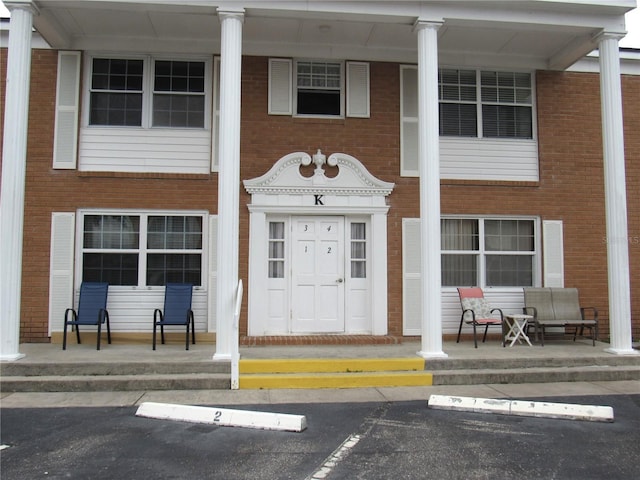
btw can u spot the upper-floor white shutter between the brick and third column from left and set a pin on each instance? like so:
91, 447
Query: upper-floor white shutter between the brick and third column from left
409, 121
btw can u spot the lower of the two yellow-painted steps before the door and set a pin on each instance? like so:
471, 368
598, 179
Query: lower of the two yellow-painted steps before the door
344, 380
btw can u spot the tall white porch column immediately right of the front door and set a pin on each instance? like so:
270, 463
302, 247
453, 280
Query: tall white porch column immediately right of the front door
429, 160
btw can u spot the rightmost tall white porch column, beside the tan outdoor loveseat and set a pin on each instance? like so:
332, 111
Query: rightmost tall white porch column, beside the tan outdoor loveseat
615, 196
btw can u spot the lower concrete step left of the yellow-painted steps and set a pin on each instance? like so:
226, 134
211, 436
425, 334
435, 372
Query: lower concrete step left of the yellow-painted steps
98, 383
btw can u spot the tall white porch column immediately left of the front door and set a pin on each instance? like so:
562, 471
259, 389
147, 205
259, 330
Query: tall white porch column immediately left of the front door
228, 178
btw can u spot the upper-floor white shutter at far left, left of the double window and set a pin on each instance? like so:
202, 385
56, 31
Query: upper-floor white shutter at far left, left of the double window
65, 137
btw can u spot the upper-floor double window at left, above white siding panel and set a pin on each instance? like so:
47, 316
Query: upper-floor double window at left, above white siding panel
147, 92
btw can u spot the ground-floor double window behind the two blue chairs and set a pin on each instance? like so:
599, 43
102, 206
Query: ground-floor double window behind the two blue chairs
142, 249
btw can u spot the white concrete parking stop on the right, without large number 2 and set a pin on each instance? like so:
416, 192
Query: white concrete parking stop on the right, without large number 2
593, 413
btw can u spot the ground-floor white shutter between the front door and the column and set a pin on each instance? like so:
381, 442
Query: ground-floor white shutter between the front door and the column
411, 277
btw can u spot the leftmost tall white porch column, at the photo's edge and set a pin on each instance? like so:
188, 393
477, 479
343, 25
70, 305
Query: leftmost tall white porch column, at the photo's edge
14, 164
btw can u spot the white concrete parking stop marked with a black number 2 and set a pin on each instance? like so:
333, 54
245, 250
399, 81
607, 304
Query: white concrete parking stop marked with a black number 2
222, 416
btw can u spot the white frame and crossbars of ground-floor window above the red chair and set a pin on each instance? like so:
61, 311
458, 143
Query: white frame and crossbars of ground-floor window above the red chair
482, 253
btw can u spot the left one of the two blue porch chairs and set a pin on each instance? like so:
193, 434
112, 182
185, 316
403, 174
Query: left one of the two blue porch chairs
92, 310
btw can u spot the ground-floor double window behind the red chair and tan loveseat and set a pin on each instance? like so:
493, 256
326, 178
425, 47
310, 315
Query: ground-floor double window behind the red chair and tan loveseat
488, 252
